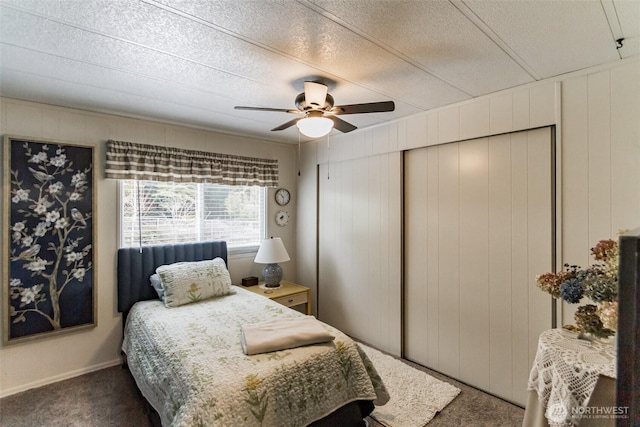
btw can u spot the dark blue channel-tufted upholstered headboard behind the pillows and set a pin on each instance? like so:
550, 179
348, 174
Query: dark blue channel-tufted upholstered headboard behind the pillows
134, 268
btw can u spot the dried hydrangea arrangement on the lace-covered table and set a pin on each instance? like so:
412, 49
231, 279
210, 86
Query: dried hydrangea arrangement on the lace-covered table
598, 282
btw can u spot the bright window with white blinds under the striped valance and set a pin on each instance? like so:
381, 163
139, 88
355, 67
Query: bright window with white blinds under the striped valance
156, 212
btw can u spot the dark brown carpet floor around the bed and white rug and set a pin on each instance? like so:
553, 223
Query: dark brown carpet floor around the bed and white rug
109, 398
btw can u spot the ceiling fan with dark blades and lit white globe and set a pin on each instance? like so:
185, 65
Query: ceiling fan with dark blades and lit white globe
319, 113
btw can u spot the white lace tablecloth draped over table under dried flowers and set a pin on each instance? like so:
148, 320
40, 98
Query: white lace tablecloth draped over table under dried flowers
565, 372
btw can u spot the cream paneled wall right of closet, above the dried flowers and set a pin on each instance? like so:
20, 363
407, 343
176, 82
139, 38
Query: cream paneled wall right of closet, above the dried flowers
600, 161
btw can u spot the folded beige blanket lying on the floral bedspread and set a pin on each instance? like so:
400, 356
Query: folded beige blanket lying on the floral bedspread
281, 334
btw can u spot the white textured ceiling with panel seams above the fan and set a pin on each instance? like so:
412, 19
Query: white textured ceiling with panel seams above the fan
191, 62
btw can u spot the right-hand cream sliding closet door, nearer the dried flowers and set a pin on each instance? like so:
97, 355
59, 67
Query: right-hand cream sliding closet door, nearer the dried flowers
478, 223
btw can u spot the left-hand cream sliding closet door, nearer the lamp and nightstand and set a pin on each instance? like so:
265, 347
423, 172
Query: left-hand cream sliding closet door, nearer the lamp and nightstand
359, 285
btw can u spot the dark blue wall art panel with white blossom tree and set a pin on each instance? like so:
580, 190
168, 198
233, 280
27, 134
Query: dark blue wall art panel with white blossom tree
49, 220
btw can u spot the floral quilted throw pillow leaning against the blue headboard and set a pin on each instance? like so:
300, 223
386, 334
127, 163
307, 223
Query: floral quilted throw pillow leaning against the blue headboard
187, 282
